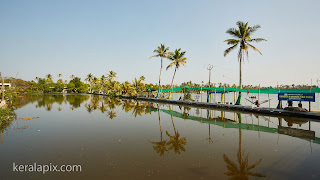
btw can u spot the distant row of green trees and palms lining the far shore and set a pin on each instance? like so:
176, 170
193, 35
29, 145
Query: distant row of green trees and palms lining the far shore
108, 84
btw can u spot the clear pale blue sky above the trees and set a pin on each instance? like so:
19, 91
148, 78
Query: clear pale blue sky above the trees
78, 37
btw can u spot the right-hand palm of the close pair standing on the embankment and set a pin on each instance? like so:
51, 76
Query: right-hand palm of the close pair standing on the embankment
178, 60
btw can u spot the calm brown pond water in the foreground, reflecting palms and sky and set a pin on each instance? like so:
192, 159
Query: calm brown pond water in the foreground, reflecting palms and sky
126, 139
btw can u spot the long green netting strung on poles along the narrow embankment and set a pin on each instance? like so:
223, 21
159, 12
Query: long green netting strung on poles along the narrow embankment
262, 91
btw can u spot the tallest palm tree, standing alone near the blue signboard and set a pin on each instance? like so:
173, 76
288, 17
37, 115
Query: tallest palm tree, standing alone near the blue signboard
243, 39
